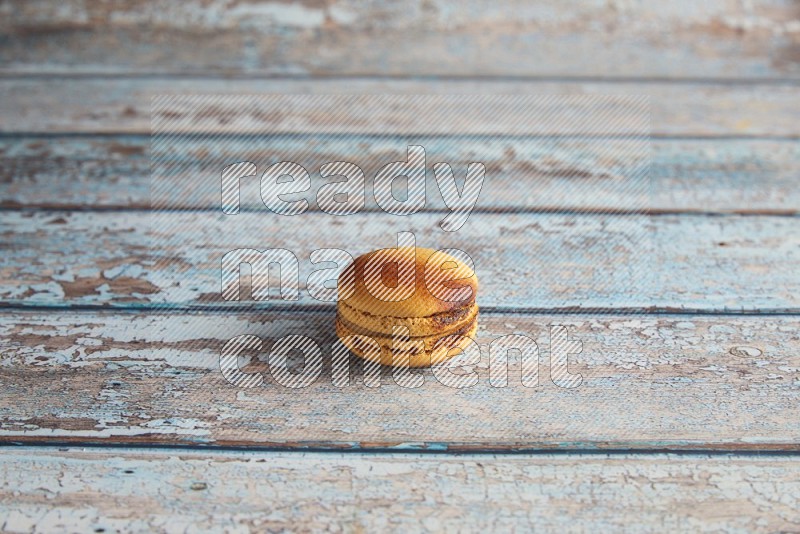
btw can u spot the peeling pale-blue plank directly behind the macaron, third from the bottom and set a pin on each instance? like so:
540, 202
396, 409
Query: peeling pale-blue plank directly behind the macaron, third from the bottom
708, 263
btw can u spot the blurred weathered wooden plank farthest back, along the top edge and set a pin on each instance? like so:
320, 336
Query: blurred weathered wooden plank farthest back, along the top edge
712, 39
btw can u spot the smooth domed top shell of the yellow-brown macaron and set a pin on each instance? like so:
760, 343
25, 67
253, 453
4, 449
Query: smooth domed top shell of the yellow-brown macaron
441, 283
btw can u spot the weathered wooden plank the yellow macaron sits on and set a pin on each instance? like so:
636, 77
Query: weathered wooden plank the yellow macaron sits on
666, 382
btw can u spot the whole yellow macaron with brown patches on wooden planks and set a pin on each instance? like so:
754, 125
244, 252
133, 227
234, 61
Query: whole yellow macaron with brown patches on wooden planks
417, 304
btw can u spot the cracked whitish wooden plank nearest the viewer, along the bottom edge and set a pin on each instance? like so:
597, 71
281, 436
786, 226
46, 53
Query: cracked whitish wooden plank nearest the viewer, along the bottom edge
140, 490
